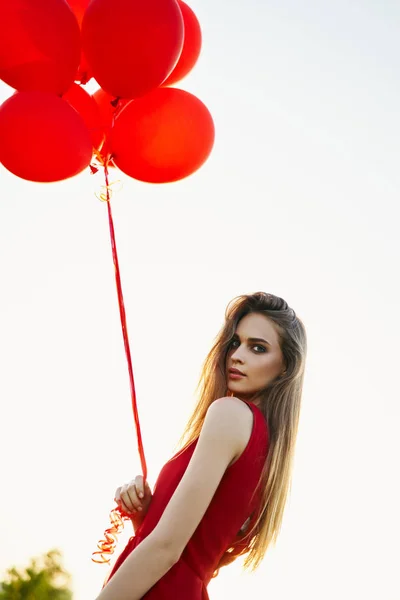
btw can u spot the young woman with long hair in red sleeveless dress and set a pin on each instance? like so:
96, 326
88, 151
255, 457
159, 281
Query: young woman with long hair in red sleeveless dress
223, 494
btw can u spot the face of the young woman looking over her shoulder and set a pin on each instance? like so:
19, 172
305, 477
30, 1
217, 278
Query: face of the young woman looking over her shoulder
260, 360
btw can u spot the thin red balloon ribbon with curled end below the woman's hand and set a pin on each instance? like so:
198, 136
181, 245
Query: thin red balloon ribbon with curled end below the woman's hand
106, 547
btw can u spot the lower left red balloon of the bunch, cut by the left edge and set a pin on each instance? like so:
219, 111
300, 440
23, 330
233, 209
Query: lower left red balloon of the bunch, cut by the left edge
42, 138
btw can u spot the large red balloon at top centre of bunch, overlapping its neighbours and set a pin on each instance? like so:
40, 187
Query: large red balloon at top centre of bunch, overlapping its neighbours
132, 46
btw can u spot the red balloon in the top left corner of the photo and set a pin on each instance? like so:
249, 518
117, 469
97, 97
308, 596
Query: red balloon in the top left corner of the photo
39, 45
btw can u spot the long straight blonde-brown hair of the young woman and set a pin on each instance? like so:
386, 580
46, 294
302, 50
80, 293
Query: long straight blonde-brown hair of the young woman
280, 404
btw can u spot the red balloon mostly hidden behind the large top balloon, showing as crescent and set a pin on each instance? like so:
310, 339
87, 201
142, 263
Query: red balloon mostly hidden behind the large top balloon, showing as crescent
191, 45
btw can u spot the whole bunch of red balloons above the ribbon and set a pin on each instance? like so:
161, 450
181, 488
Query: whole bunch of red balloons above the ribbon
51, 127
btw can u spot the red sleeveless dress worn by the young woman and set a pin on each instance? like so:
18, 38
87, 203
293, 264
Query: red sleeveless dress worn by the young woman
225, 515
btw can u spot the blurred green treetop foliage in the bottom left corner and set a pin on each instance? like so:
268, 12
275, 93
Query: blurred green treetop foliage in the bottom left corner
43, 579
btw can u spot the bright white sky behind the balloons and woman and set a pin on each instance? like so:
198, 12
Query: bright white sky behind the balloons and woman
300, 199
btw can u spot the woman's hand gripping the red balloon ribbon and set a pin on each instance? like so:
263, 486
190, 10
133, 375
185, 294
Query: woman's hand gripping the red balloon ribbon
134, 499
